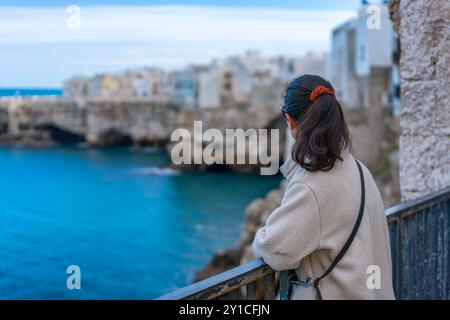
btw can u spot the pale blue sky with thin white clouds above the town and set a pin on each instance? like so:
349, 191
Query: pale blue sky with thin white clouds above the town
39, 50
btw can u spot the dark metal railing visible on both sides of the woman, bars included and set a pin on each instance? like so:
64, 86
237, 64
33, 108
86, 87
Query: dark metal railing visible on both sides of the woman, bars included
420, 245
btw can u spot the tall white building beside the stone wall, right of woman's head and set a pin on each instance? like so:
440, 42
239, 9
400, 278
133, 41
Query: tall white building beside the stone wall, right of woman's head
361, 58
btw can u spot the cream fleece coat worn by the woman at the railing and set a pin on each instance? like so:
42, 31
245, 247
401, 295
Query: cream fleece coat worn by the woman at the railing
316, 216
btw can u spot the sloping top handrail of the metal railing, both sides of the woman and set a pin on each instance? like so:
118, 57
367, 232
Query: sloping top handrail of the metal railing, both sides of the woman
229, 280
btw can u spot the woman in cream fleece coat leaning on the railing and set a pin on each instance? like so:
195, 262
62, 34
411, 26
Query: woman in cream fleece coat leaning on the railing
331, 226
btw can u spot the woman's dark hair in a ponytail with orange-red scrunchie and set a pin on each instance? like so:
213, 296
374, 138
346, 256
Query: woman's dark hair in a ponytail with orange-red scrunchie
322, 133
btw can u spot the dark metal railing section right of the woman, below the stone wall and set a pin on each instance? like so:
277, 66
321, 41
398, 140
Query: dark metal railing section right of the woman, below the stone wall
420, 246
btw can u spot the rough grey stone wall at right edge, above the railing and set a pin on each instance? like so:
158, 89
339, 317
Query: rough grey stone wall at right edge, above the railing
424, 30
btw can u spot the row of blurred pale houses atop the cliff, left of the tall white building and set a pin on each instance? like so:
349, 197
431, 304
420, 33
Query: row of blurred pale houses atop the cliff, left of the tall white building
230, 81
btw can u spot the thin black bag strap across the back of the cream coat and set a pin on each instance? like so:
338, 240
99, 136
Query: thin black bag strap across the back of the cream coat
350, 238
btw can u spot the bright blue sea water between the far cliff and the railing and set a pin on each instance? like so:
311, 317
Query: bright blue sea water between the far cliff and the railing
135, 231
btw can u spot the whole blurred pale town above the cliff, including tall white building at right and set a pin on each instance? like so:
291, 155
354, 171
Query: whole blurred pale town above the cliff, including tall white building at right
362, 65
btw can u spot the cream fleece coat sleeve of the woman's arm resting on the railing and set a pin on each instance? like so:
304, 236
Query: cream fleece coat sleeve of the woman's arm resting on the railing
292, 231
